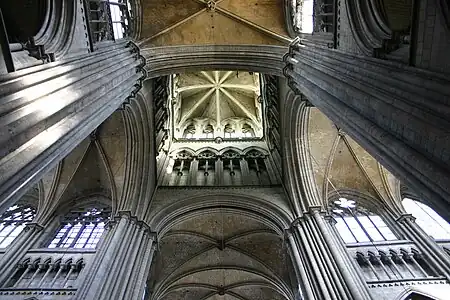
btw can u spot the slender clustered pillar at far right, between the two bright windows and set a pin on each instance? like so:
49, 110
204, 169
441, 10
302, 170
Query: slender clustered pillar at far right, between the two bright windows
436, 256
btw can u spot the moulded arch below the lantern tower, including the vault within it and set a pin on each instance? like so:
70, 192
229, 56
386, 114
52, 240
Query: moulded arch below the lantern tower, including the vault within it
221, 236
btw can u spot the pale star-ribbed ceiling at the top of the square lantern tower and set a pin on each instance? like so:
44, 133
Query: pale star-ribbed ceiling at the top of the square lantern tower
218, 99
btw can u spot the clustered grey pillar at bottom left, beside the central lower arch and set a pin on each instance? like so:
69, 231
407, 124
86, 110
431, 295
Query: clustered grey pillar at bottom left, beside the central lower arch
122, 262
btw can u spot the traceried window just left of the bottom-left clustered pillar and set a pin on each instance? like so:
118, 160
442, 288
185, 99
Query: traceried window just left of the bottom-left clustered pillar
81, 228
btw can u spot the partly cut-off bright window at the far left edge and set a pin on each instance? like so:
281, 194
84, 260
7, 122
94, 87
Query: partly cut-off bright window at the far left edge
13, 221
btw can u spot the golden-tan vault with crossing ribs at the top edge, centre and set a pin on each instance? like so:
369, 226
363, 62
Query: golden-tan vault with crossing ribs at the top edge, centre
188, 22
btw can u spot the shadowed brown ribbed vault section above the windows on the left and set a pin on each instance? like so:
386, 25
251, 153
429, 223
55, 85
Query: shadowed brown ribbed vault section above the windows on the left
95, 168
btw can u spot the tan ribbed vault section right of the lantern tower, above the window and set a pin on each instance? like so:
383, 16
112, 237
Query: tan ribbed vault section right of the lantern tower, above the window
339, 163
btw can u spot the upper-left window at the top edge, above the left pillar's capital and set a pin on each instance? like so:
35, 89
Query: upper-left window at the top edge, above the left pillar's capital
109, 19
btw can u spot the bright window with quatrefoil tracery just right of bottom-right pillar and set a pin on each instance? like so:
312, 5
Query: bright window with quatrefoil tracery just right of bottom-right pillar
356, 224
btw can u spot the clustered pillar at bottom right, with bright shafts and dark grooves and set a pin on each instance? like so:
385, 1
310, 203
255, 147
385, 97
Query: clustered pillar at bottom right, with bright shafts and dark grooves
328, 265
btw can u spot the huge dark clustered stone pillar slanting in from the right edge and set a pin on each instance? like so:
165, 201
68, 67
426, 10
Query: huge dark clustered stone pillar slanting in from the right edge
399, 114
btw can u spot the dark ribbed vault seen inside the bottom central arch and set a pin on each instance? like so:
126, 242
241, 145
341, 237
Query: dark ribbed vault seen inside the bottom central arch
220, 255
